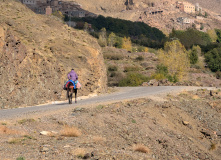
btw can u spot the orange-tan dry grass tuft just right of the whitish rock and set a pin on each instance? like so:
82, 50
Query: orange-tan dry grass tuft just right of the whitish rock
69, 131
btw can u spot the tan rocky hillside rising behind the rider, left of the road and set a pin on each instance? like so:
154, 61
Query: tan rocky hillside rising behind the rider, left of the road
37, 52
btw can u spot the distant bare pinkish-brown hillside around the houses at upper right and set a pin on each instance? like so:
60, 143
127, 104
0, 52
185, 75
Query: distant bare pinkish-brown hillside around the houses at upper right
160, 14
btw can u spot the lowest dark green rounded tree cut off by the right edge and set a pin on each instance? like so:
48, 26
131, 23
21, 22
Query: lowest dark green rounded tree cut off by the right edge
213, 59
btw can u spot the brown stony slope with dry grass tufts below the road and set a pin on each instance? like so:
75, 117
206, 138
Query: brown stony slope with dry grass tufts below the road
182, 126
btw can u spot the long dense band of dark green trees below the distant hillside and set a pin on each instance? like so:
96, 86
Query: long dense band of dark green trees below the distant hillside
151, 37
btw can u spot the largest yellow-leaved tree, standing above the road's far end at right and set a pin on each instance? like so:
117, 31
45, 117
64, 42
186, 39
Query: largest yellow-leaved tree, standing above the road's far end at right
175, 58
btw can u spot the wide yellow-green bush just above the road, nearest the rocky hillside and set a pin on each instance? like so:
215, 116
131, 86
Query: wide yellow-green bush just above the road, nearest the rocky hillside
133, 79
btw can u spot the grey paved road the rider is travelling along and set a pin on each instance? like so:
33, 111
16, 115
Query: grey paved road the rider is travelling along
122, 94
